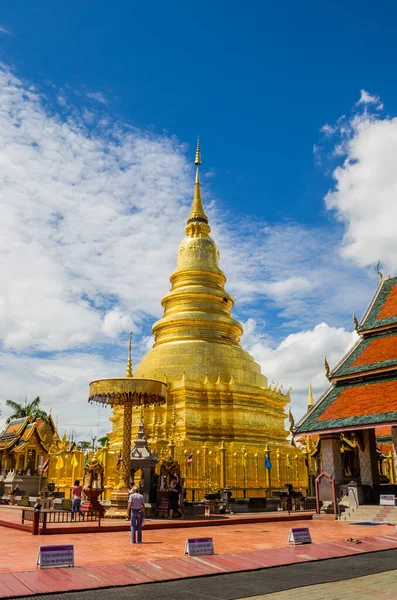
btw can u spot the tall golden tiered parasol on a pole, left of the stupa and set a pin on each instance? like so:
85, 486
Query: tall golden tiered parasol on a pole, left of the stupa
128, 392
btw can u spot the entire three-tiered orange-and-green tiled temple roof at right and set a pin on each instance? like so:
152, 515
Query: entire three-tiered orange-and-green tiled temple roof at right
364, 382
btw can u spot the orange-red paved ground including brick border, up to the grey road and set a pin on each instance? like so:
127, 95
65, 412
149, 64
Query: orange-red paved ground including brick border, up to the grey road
107, 559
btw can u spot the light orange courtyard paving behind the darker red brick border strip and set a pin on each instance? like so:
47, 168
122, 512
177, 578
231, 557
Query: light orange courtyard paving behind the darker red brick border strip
115, 548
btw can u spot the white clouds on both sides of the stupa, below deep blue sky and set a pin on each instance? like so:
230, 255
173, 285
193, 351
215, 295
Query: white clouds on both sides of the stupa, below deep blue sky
91, 215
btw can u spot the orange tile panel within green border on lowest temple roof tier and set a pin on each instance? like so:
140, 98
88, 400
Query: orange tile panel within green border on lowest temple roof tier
355, 401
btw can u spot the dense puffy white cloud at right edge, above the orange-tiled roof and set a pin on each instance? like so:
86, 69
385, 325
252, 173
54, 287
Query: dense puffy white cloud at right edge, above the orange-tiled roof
365, 192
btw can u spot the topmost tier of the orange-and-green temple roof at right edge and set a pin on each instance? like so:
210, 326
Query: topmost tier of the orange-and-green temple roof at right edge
382, 311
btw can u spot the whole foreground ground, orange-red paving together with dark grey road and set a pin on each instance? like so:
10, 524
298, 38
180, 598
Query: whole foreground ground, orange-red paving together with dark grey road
247, 551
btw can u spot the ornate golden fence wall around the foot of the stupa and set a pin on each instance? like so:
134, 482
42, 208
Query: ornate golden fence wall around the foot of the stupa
244, 470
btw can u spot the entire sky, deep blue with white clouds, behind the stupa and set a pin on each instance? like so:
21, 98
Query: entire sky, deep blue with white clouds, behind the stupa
123, 89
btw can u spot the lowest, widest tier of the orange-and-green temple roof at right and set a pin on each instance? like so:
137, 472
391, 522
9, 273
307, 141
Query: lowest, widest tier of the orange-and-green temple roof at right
353, 405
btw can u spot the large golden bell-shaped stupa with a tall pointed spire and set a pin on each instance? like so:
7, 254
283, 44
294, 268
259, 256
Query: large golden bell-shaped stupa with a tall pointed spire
216, 392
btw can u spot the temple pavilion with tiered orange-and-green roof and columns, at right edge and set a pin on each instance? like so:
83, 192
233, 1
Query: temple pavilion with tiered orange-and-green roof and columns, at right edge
361, 402
